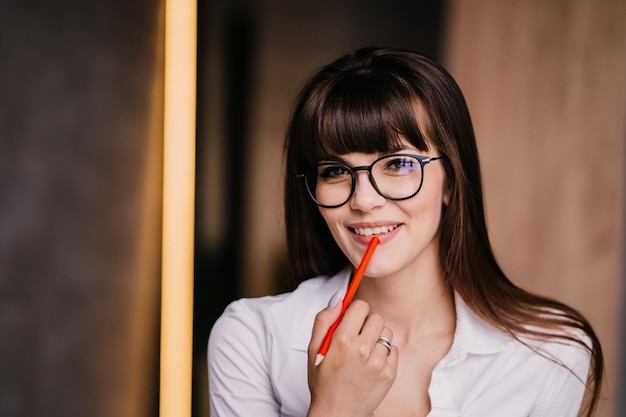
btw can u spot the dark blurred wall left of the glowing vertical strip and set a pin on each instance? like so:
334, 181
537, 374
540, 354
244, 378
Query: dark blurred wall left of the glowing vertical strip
80, 188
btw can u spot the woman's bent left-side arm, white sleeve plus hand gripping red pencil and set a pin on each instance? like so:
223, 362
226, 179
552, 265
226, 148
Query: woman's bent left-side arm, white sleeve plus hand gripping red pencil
351, 381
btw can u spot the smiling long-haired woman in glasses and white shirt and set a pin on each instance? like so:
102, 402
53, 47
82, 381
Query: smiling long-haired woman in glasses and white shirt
381, 144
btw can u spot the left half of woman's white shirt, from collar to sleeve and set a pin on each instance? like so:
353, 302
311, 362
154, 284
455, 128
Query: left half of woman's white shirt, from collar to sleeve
257, 350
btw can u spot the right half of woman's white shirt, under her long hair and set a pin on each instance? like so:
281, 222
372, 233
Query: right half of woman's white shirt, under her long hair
515, 374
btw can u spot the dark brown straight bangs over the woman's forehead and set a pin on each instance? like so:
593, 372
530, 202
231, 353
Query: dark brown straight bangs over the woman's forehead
368, 113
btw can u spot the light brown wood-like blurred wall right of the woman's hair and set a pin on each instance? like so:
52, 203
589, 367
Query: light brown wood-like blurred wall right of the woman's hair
546, 85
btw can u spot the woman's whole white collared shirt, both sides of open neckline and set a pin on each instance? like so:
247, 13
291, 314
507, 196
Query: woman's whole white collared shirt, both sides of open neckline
257, 360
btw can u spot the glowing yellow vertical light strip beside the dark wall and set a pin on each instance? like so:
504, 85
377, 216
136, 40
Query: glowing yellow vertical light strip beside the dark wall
178, 207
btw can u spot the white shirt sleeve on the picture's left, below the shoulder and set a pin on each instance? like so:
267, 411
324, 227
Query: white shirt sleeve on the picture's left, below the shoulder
239, 381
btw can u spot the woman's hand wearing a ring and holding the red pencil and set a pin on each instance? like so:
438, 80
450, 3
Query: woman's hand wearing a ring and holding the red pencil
357, 371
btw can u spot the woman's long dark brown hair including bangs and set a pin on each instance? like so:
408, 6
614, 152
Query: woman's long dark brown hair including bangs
364, 102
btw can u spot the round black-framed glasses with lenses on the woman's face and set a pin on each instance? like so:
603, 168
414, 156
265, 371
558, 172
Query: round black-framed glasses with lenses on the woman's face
395, 177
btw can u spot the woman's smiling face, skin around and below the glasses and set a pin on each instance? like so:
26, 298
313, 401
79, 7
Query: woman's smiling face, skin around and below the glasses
407, 229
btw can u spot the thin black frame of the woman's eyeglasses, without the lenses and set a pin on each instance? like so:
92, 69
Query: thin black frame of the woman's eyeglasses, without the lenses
423, 160
